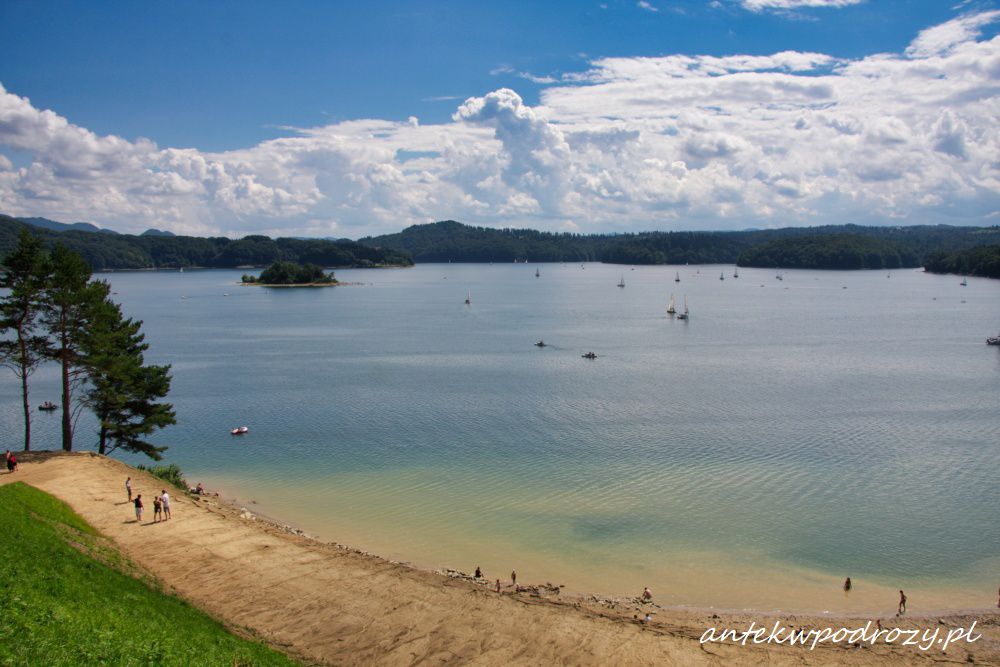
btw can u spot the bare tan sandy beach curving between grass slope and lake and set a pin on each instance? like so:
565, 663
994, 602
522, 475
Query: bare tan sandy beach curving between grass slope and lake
329, 604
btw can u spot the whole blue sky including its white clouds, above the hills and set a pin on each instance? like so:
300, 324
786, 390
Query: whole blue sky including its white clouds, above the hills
347, 119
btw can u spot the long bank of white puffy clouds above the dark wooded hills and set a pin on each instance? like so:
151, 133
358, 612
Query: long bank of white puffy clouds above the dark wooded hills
675, 142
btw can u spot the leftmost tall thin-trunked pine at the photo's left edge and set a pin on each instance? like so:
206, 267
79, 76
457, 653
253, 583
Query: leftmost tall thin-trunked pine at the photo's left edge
25, 274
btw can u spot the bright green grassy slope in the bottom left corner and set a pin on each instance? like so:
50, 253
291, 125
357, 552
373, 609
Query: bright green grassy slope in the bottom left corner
67, 598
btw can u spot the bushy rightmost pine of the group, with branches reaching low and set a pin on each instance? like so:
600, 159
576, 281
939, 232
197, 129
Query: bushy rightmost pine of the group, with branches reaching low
122, 388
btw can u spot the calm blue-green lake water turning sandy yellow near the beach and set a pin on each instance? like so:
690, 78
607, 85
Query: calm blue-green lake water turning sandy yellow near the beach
790, 434
